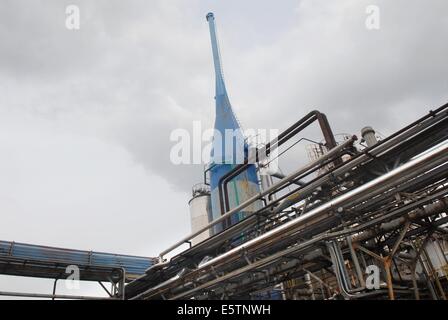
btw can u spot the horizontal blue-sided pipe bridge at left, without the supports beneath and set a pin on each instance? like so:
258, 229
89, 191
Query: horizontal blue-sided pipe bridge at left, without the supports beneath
42, 261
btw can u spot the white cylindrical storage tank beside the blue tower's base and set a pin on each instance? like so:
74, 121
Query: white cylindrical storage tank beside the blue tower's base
200, 211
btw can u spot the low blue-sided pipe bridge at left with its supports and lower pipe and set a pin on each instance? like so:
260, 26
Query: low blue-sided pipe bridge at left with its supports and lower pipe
26, 260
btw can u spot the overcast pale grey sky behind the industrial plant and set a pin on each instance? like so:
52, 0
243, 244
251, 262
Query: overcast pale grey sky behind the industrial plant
85, 115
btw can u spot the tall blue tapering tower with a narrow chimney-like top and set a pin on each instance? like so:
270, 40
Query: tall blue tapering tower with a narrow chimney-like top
229, 146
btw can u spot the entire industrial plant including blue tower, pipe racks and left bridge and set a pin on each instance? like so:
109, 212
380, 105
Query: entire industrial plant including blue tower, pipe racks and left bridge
365, 218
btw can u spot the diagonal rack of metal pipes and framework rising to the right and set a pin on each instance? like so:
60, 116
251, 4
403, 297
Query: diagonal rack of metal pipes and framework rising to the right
322, 227
